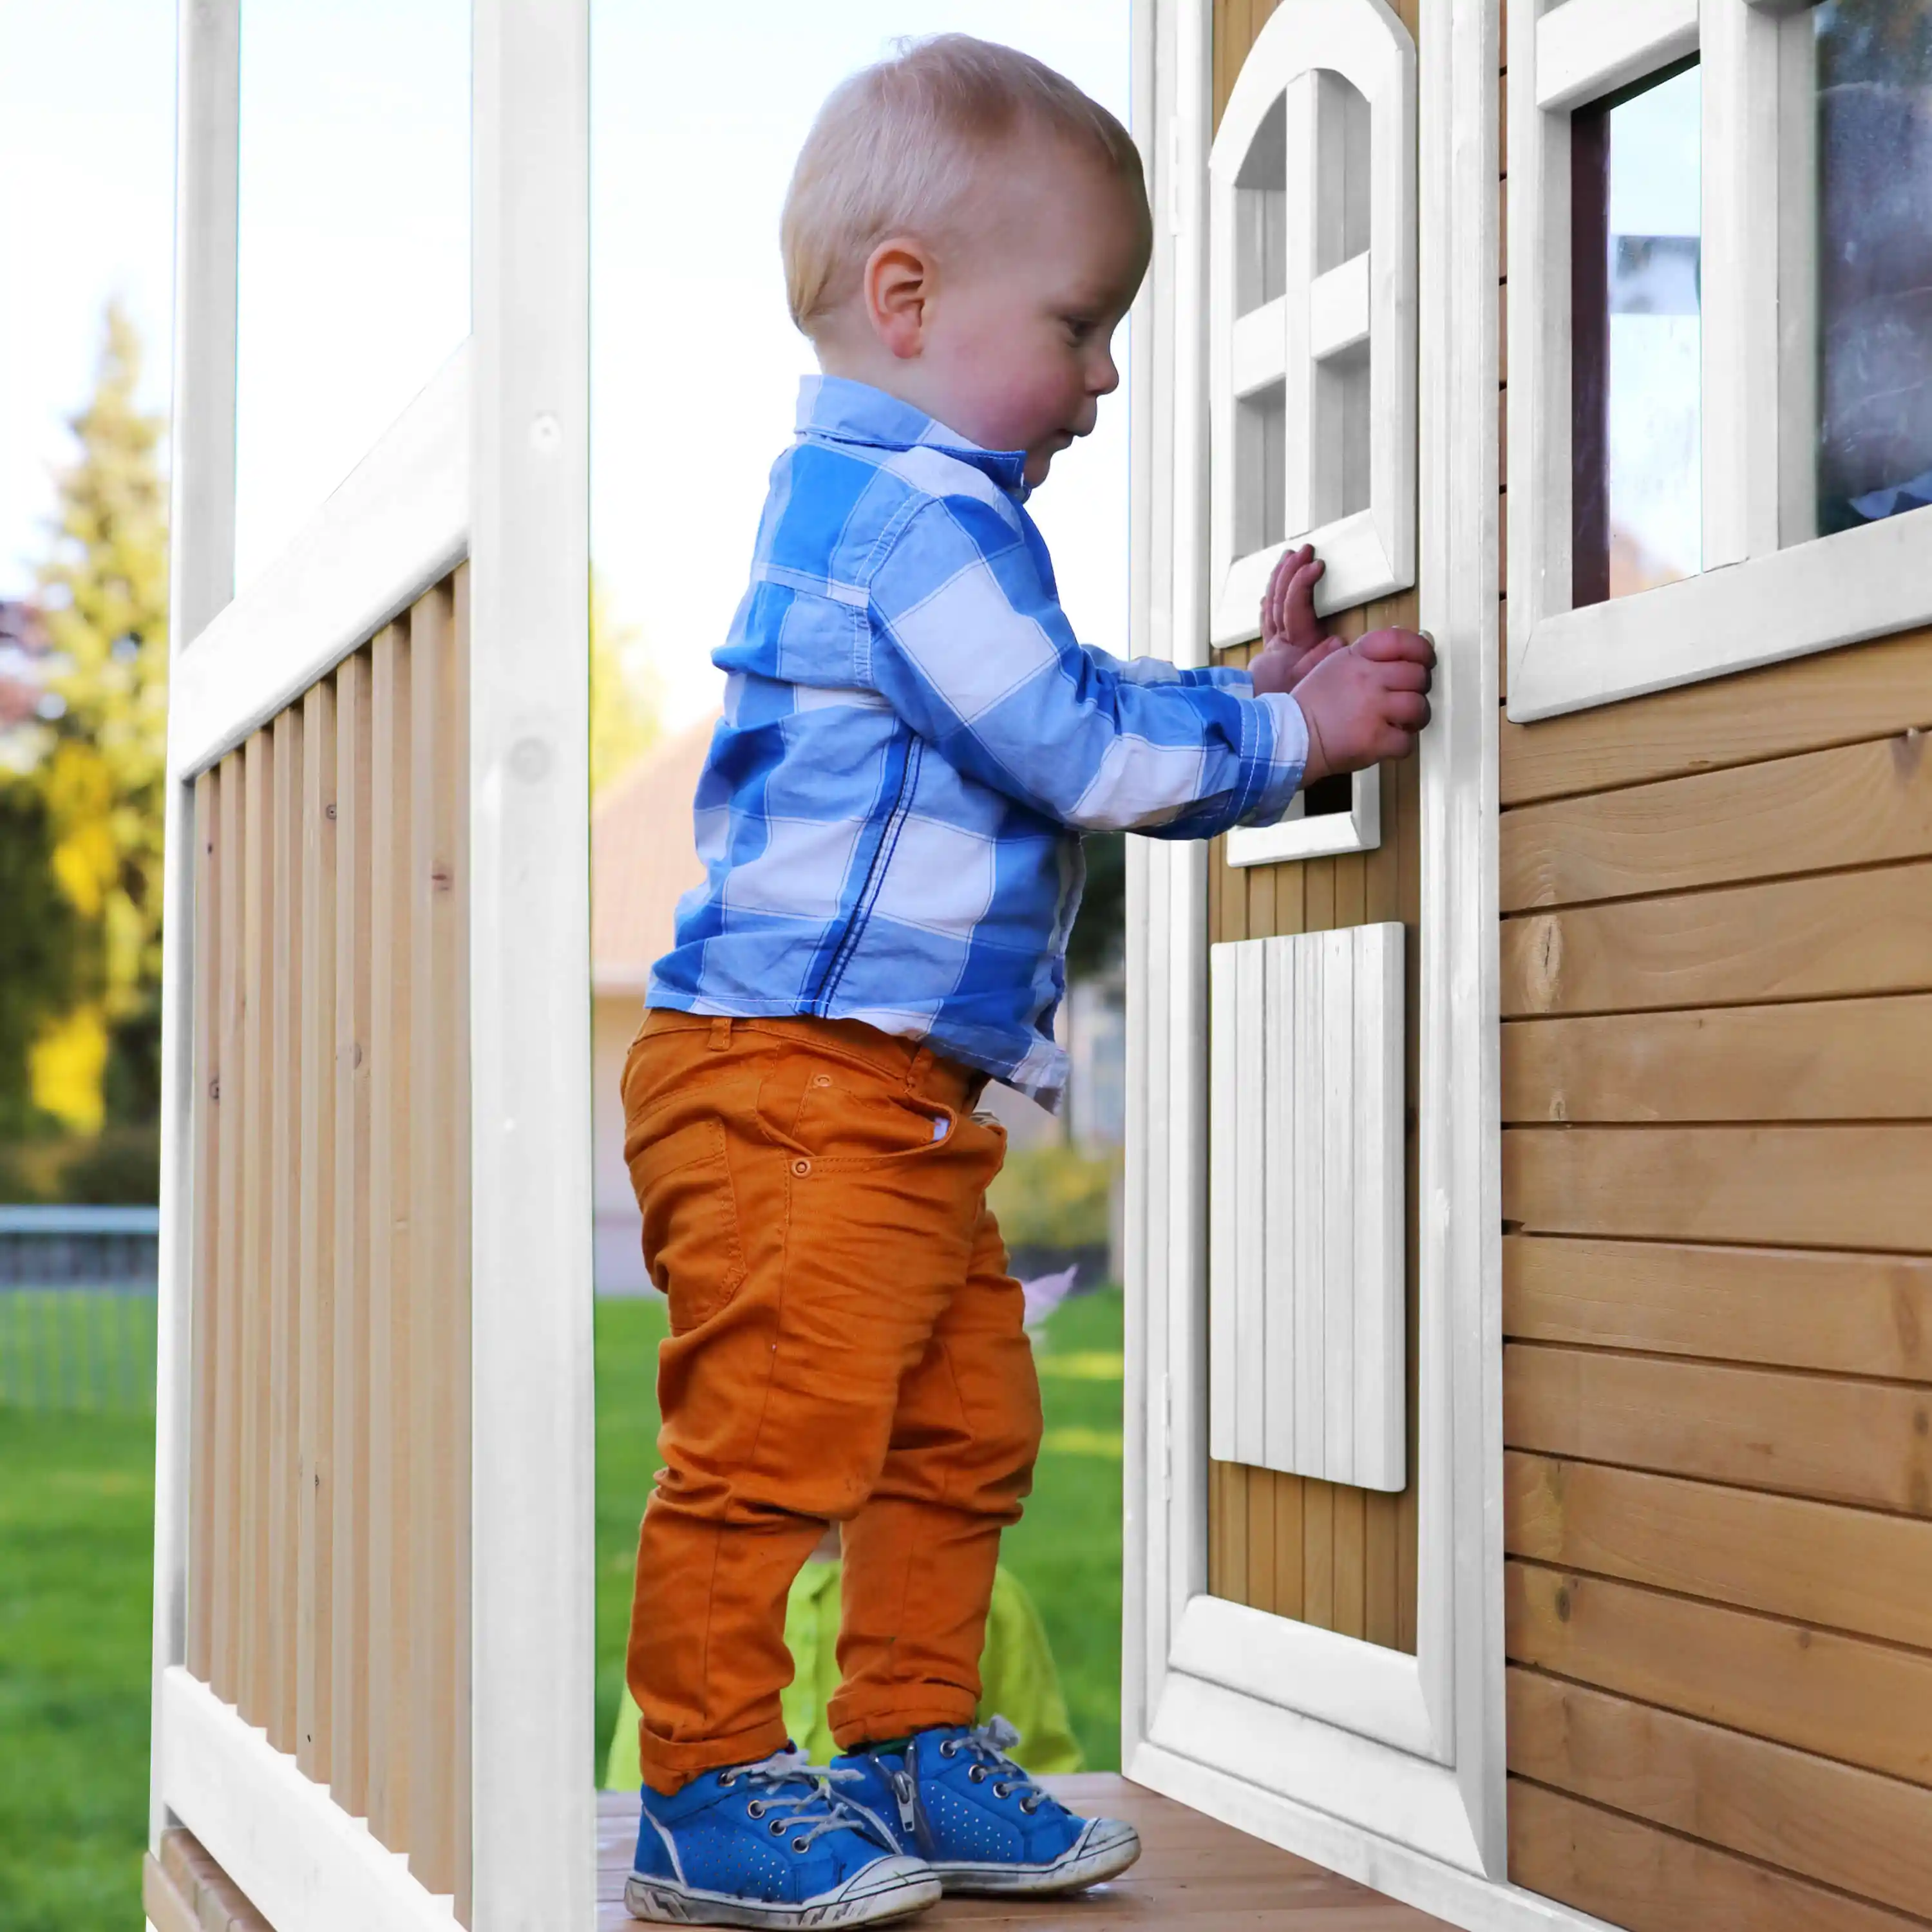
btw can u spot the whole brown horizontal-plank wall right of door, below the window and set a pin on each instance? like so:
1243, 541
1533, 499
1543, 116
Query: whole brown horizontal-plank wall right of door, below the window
1717, 986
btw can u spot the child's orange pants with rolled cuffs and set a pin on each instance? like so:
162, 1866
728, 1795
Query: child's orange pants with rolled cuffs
845, 1348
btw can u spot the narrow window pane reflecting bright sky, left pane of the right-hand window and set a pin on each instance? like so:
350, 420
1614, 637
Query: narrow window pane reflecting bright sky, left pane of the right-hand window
1637, 339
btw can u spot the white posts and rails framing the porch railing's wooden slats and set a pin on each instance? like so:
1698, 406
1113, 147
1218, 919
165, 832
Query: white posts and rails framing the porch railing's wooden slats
492, 463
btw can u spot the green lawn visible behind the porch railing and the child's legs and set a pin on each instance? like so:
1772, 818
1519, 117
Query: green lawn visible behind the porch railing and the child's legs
76, 1552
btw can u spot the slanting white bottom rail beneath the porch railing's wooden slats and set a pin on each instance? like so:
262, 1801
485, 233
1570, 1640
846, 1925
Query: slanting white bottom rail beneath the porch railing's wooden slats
298, 1858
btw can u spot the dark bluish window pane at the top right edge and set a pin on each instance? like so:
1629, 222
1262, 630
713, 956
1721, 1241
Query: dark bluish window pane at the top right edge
1875, 260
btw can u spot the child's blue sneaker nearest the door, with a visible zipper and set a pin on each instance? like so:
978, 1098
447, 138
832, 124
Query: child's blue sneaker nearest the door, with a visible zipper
979, 1821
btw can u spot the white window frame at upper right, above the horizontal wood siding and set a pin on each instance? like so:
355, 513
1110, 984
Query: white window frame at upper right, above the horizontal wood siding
1771, 588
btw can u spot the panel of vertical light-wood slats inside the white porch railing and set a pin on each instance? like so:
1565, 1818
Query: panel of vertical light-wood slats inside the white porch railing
329, 1494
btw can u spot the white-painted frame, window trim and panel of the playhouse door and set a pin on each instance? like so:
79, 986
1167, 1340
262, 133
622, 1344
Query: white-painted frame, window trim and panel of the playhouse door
1377, 1763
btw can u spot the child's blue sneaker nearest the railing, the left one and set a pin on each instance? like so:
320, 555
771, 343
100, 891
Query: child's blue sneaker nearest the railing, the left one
770, 1844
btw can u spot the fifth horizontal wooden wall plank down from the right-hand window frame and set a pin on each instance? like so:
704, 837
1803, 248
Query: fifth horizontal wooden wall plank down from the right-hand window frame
1825, 1187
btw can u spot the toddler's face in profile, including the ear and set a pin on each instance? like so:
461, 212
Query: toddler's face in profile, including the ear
1008, 335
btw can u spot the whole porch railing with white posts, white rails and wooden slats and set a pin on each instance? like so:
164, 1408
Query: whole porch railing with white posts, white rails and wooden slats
374, 1481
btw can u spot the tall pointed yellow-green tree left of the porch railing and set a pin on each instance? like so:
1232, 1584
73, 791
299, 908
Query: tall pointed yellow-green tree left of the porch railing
105, 590
